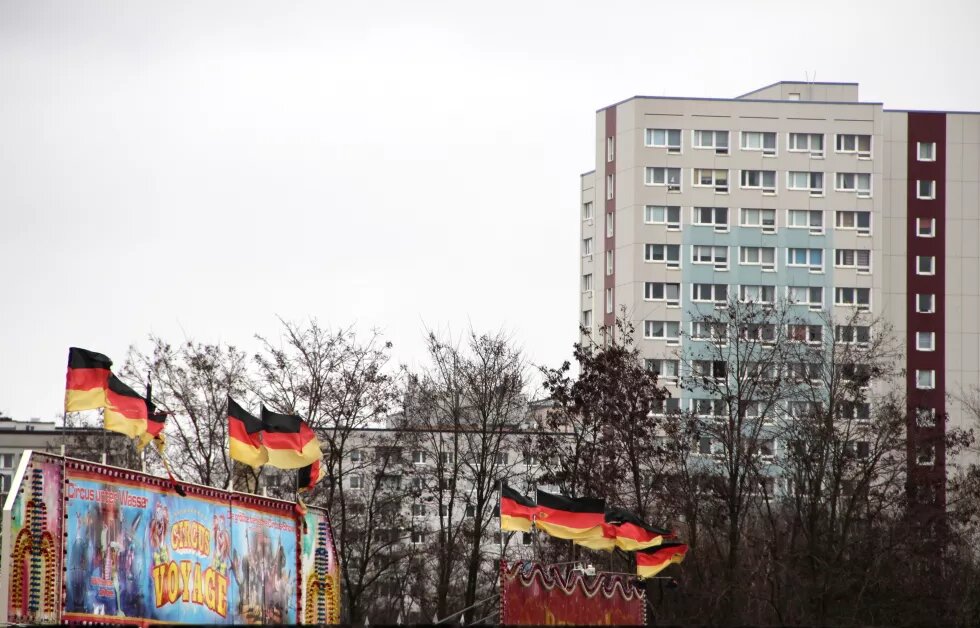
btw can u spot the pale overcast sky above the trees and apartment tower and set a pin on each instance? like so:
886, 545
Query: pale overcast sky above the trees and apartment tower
195, 169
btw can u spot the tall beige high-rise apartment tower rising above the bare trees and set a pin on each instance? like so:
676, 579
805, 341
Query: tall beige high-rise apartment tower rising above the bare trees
795, 191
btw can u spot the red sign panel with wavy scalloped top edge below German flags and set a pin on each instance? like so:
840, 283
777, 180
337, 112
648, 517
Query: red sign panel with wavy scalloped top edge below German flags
532, 594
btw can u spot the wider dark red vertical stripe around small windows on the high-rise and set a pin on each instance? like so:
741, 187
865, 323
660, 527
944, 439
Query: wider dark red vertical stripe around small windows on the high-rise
927, 480
